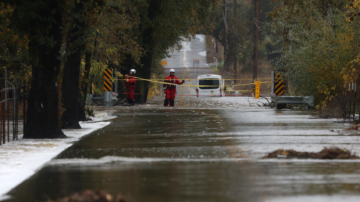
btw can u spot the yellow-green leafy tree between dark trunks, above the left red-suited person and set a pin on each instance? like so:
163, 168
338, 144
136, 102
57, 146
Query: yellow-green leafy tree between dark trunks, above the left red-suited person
113, 39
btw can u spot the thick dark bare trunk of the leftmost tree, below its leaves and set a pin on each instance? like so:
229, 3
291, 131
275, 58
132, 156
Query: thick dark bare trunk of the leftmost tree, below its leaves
42, 113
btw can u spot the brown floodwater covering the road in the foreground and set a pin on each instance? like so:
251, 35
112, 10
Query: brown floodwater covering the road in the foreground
191, 154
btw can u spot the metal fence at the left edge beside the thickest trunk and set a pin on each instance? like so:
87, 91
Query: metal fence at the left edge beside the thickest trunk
13, 106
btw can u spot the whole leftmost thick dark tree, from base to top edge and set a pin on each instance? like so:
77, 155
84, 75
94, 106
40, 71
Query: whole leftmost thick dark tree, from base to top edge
42, 22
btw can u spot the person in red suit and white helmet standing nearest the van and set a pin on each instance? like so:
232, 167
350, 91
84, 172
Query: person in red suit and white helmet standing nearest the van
170, 90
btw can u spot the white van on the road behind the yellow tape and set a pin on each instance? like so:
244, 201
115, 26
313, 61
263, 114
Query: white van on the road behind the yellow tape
210, 85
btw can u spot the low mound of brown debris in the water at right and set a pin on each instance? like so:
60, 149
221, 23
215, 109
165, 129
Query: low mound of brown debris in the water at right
326, 153
